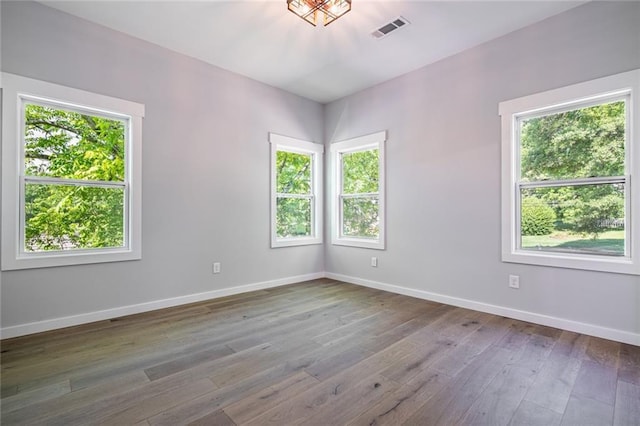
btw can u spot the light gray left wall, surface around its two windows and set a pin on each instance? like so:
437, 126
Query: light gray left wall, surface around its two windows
205, 168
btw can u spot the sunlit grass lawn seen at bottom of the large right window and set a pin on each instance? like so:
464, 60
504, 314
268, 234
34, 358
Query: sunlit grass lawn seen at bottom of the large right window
608, 243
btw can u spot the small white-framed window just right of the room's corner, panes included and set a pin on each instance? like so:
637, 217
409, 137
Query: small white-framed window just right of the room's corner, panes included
358, 199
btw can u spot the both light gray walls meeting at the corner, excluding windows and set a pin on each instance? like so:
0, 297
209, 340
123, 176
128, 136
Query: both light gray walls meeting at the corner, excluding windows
206, 170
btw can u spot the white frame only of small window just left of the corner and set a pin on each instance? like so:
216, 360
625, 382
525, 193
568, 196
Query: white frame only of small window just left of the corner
316, 151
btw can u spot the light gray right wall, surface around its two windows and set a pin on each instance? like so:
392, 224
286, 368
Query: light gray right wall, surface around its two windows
443, 168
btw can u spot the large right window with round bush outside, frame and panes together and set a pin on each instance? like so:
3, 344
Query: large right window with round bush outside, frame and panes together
567, 176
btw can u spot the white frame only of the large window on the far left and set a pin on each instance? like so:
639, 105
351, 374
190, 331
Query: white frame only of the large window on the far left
16, 90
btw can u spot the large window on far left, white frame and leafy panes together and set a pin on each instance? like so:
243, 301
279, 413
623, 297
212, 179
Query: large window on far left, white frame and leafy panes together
70, 176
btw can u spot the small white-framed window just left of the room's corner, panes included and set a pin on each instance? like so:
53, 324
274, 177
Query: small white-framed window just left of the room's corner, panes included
296, 191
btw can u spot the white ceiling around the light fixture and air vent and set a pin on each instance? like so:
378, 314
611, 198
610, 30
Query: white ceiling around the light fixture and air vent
260, 39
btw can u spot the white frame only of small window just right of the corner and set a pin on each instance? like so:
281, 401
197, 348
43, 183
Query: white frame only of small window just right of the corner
362, 143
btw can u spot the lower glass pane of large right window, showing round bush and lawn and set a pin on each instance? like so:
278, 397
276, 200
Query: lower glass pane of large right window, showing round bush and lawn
576, 219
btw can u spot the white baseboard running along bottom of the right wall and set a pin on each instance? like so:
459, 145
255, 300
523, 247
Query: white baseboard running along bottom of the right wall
562, 323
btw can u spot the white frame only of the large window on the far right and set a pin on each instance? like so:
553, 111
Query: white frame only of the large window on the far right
581, 95
